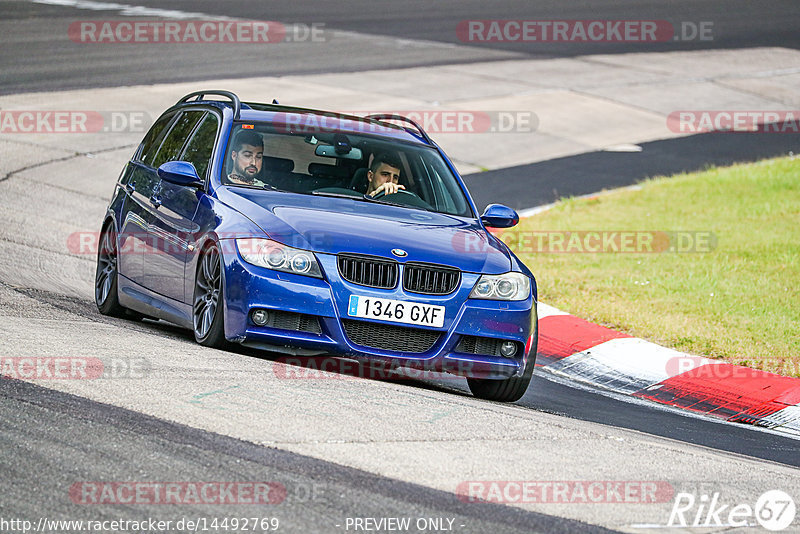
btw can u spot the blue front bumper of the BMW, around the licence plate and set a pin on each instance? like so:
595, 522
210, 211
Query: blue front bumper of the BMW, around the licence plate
323, 302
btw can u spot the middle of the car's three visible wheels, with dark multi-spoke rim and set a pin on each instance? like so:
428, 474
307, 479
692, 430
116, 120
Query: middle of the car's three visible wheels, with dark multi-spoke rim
207, 308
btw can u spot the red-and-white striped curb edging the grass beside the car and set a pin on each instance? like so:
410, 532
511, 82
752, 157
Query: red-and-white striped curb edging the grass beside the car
611, 360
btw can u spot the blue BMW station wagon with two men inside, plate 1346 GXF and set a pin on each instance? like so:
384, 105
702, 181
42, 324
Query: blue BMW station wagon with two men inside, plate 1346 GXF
310, 232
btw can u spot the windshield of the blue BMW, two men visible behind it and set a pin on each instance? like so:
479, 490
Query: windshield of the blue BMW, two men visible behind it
342, 165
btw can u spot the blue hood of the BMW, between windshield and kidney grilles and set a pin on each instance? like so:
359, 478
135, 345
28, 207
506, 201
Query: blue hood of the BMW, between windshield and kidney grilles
336, 225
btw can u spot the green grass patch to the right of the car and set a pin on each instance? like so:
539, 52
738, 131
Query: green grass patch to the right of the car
739, 302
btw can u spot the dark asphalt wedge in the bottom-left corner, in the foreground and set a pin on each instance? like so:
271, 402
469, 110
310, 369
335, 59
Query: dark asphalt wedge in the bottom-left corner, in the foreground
317, 495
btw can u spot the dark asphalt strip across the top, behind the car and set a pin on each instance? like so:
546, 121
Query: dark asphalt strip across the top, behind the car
39, 56
